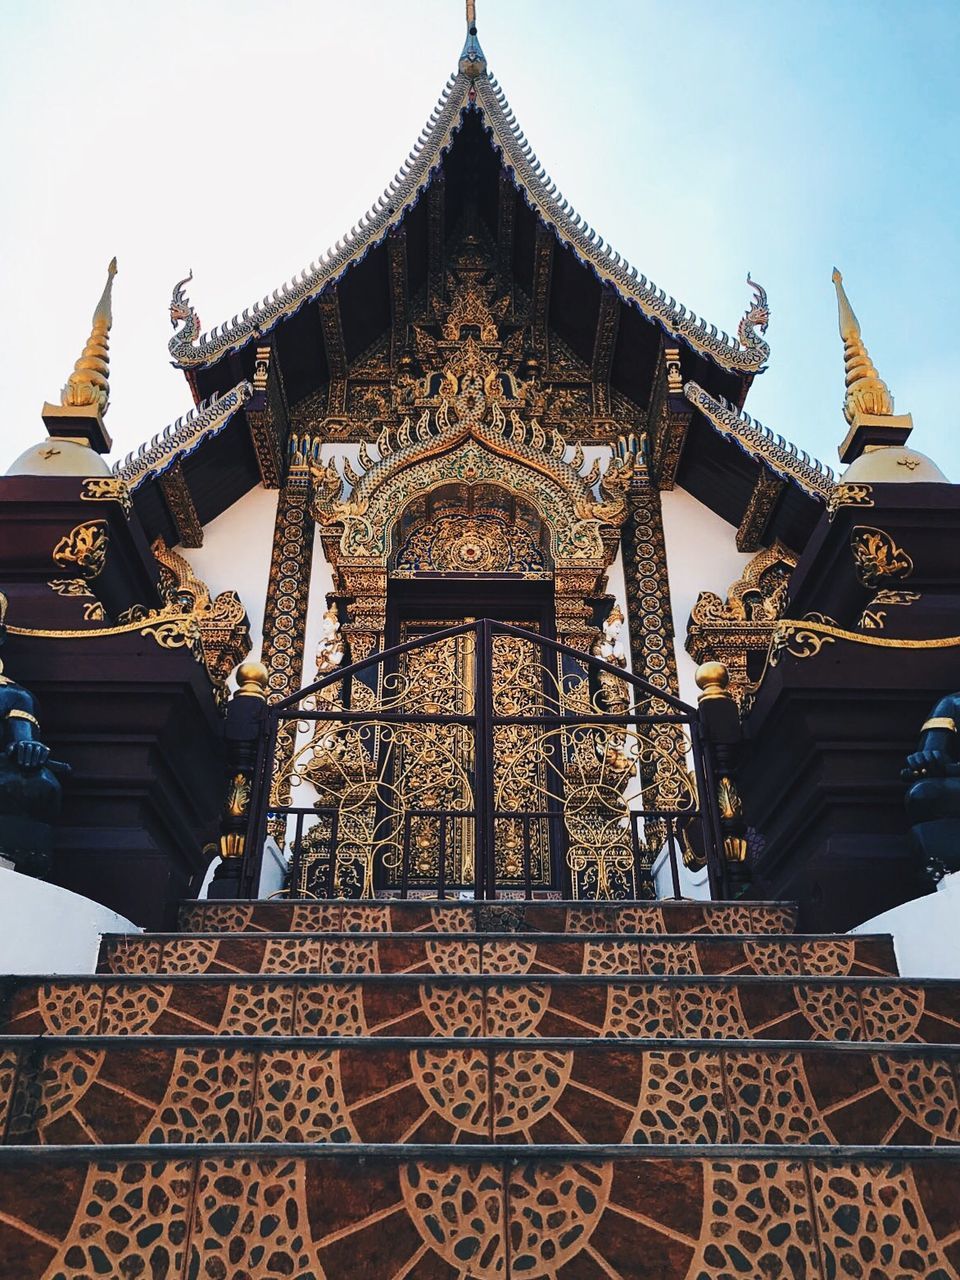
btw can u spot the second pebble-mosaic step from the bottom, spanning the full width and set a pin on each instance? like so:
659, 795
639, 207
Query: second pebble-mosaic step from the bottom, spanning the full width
104, 1091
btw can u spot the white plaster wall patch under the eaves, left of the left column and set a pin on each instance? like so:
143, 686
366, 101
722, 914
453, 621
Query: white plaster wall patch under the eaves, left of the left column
236, 555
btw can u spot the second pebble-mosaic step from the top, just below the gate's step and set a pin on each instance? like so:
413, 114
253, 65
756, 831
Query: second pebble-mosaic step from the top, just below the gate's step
504, 954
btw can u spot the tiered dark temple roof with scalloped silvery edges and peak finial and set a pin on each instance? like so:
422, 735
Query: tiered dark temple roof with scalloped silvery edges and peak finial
614, 351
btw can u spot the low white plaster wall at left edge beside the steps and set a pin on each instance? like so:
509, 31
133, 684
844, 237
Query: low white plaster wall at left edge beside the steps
49, 930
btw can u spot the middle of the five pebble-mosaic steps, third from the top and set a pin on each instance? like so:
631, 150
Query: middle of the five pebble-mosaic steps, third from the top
842, 1009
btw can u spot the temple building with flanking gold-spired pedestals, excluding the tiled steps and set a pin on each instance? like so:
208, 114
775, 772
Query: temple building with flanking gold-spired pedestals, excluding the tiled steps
474, 408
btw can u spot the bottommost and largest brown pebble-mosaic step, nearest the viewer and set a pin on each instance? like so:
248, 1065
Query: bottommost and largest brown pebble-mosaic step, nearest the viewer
554, 1214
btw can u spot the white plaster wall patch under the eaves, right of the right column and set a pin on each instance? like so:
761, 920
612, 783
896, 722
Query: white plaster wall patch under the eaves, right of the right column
702, 556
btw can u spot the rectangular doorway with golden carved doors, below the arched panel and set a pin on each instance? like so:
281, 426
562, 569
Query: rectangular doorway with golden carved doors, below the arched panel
438, 775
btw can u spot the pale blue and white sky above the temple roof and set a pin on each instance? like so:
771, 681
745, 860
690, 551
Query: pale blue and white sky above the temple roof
702, 140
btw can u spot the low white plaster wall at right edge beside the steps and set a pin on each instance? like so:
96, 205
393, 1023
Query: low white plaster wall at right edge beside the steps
925, 932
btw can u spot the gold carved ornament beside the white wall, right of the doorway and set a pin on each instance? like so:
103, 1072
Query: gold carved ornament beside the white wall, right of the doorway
738, 632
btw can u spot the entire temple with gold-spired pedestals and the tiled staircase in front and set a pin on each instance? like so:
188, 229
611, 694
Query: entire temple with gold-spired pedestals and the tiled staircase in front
441, 770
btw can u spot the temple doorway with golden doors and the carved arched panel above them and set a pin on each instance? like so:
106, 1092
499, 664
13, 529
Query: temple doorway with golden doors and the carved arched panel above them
465, 552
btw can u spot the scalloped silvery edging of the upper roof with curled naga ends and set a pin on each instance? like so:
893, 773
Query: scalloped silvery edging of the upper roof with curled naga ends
473, 90
